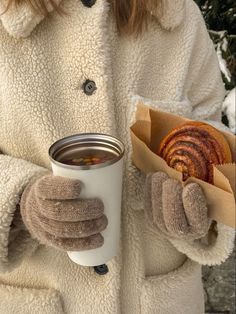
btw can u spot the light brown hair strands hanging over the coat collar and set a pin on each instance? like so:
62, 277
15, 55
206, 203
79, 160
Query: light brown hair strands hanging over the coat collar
131, 15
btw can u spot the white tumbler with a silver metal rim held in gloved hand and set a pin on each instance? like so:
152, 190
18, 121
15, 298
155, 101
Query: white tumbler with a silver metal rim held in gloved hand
102, 180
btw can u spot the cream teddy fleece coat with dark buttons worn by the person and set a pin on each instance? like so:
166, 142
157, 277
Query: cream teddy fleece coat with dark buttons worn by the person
43, 65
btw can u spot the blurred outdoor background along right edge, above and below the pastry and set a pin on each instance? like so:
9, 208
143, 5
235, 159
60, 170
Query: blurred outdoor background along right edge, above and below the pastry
220, 18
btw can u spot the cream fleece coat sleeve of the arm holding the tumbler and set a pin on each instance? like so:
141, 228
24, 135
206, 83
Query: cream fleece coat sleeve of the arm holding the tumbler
15, 241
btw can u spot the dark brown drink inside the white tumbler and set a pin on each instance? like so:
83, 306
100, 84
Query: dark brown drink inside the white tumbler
88, 157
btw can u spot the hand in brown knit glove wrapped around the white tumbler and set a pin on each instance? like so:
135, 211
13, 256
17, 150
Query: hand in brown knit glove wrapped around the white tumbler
54, 213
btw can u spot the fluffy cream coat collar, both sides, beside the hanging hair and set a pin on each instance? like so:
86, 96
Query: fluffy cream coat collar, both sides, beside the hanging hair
21, 21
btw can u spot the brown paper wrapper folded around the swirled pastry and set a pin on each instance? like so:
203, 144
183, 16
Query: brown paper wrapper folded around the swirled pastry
146, 134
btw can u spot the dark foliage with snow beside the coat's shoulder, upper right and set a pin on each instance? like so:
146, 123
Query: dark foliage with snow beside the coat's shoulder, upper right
220, 17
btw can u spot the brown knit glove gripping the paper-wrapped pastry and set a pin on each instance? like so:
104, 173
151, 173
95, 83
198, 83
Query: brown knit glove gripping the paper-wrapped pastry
175, 211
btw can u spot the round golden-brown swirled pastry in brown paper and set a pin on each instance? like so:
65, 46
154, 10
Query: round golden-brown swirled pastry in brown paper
193, 149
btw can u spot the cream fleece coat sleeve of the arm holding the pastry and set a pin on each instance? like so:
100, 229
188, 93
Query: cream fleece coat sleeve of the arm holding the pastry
205, 91
